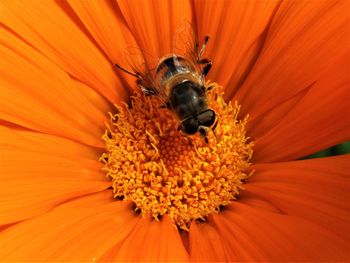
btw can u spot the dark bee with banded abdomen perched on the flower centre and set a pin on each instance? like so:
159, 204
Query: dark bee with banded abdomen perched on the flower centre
179, 81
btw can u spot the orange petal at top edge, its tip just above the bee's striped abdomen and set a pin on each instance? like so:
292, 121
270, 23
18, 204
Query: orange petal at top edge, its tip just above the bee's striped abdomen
154, 23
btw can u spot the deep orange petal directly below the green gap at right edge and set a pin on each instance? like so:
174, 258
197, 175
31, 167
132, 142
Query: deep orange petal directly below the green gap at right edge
317, 190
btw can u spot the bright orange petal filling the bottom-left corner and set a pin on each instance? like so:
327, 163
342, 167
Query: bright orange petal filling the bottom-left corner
80, 230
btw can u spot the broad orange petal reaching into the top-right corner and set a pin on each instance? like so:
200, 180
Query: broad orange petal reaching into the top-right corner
303, 40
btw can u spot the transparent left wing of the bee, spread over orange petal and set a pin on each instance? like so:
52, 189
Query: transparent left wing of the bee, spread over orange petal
144, 65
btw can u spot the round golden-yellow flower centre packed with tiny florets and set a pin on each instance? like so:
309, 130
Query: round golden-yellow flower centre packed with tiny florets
165, 172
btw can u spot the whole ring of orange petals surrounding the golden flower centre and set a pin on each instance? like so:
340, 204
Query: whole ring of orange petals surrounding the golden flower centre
285, 62
